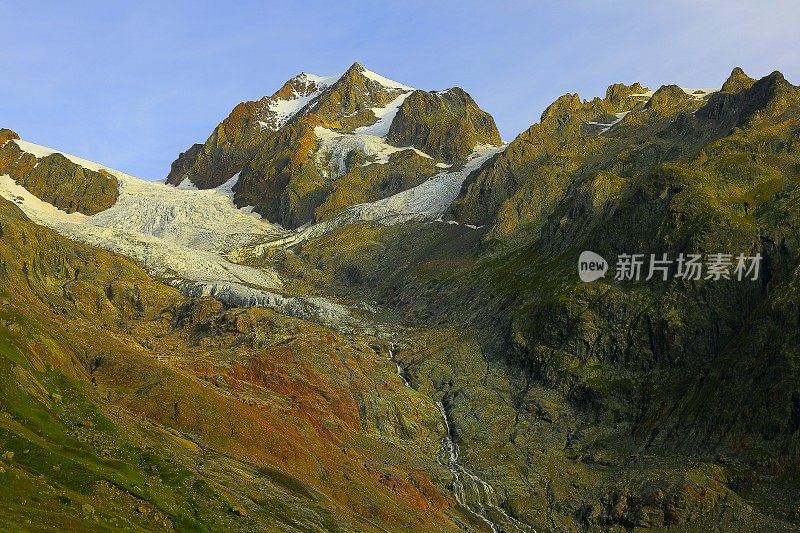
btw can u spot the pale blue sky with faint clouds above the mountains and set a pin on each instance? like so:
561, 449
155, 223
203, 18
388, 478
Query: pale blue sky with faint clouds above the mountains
132, 84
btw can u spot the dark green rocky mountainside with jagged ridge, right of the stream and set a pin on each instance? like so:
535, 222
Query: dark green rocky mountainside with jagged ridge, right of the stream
631, 404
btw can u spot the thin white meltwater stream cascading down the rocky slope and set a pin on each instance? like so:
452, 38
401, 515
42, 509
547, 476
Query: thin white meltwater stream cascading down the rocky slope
470, 491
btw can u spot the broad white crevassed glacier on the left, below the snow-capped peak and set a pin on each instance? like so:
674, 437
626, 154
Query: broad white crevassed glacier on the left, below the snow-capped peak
173, 233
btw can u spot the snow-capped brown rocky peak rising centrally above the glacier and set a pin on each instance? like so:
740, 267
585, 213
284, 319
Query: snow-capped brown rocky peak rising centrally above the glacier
290, 150
